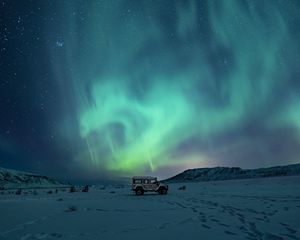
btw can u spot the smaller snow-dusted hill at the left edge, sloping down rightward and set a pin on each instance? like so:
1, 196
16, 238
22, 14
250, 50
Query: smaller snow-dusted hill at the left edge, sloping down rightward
16, 179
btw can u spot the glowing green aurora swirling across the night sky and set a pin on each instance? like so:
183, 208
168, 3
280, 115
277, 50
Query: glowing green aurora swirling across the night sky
161, 86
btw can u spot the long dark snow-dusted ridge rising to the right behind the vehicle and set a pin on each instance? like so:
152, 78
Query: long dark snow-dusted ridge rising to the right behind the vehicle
226, 173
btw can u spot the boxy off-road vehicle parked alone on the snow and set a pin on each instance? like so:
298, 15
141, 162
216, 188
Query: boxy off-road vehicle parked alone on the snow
148, 184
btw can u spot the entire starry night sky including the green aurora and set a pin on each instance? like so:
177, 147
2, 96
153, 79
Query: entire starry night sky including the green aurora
102, 89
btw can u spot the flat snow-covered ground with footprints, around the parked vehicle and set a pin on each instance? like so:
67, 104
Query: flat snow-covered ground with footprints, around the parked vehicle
266, 208
